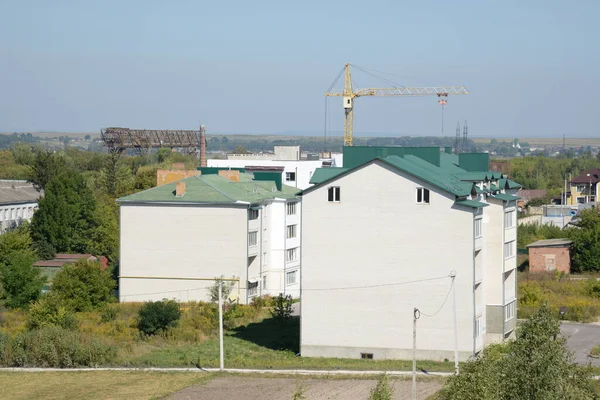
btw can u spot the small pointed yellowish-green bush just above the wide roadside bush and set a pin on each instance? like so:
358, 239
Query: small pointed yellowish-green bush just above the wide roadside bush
50, 312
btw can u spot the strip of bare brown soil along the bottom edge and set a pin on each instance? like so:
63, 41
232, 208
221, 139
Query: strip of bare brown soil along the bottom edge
316, 389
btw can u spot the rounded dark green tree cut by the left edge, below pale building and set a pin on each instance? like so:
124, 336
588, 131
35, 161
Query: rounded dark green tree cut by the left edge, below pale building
21, 282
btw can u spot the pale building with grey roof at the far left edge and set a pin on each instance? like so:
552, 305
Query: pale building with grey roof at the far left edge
18, 202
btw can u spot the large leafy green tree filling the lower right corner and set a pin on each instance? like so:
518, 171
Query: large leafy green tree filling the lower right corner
536, 366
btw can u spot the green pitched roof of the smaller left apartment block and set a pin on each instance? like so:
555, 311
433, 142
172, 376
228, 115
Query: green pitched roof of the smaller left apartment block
211, 189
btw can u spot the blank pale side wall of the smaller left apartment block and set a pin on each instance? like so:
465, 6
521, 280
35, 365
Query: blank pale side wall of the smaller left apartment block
181, 241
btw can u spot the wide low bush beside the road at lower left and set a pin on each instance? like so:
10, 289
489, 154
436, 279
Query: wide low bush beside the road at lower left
55, 347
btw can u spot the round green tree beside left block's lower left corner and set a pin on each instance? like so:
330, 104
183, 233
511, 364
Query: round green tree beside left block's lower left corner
83, 286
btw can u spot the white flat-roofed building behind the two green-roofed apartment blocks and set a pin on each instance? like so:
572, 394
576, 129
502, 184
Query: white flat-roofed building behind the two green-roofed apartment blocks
286, 160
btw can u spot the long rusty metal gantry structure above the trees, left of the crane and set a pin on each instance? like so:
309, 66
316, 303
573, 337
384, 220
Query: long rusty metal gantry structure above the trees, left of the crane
120, 139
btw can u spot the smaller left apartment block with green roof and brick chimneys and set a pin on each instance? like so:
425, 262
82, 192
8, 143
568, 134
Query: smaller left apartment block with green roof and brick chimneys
222, 223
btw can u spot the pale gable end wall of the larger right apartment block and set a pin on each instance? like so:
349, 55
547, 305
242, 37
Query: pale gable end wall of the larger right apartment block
383, 237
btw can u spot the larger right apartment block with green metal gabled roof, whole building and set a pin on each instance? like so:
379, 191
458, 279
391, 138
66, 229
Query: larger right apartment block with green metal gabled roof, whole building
405, 219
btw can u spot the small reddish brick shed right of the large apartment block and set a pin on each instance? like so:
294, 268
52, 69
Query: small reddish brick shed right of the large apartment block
550, 255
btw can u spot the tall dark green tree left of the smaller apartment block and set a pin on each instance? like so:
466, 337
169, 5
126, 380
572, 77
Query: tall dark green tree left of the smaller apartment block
66, 216
